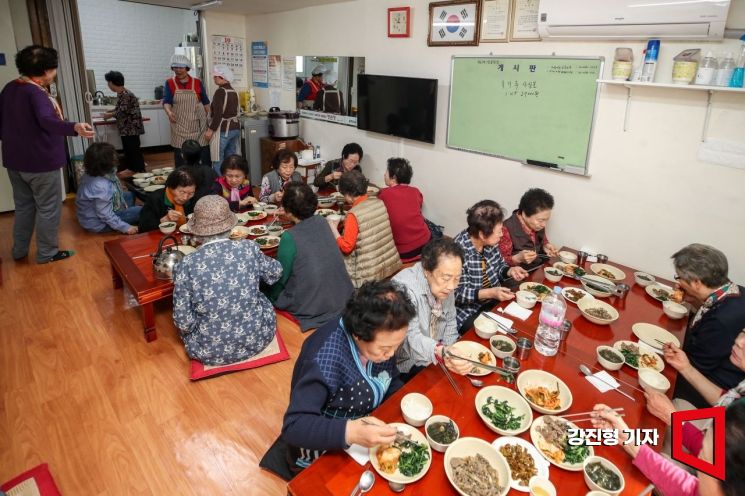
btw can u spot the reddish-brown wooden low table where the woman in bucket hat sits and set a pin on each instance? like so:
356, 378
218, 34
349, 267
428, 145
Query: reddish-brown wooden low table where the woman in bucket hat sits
132, 264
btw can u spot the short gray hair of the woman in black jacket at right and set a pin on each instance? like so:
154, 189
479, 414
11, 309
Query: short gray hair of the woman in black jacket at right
701, 262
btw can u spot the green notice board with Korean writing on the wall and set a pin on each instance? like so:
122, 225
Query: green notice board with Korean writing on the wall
536, 110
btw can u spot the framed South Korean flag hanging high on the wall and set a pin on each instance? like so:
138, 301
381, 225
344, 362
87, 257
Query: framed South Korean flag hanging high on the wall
454, 23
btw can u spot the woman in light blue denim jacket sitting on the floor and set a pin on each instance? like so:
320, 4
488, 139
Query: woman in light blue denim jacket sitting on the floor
101, 204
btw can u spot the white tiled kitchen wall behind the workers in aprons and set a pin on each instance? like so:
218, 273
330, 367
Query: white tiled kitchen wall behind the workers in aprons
134, 39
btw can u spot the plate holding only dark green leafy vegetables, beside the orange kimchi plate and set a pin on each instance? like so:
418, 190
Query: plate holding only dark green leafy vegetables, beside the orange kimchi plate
503, 410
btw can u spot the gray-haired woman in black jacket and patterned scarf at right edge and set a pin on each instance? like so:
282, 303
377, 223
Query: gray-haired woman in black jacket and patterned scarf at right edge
701, 273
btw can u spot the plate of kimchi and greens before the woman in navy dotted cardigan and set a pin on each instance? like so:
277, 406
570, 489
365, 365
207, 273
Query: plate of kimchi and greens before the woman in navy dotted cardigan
406, 460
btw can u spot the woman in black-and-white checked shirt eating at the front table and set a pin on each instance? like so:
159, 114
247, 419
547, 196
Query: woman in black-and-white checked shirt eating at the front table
484, 269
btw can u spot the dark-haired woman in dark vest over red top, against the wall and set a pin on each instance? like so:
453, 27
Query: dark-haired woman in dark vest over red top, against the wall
524, 241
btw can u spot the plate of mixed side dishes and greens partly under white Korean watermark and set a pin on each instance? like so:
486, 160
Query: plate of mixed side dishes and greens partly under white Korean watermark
552, 436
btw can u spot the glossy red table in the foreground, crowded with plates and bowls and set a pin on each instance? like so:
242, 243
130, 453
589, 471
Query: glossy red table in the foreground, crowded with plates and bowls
337, 473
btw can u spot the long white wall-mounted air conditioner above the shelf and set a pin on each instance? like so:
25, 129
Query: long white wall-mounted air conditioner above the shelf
633, 19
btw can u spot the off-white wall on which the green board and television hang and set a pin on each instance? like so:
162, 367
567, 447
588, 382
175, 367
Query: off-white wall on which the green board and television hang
648, 194
